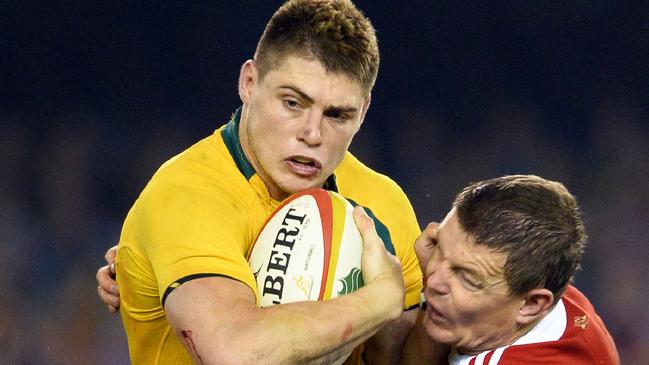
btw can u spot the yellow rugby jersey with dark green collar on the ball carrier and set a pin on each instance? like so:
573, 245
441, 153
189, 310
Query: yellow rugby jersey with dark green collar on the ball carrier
199, 215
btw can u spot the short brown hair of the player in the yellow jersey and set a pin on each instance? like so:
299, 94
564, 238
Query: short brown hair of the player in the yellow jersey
334, 32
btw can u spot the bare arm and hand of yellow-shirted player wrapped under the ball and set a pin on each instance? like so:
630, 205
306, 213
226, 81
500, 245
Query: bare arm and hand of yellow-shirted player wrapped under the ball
218, 322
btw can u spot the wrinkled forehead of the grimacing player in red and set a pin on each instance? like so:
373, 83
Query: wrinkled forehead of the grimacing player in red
461, 249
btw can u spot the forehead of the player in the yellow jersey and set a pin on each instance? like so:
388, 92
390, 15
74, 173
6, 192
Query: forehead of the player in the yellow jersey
310, 76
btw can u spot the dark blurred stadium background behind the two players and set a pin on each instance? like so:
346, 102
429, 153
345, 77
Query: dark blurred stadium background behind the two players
96, 95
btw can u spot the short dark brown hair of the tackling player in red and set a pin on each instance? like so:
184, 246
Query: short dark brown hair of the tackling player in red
536, 222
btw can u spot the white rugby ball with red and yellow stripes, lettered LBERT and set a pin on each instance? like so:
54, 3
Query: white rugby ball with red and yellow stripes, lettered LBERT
309, 249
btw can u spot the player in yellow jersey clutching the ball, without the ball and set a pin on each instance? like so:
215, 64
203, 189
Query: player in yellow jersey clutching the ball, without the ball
186, 290
